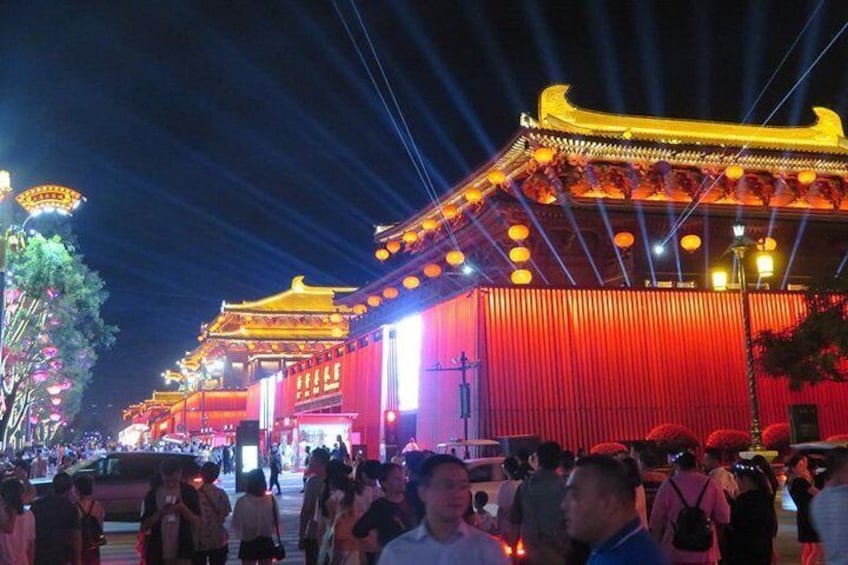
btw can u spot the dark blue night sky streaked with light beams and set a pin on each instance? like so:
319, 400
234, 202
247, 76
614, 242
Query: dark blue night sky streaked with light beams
226, 147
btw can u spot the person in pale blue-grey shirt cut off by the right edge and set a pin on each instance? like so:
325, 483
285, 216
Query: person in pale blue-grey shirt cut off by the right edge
827, 509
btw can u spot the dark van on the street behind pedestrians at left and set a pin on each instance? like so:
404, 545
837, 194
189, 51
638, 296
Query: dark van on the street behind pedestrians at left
121, 480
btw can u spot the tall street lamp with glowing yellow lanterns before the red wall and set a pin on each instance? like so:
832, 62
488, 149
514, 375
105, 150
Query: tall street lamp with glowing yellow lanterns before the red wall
765, 268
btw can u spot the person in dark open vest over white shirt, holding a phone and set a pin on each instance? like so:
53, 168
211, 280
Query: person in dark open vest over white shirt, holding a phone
171, 510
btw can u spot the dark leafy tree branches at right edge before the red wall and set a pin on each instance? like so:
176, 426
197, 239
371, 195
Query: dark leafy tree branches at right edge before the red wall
815, 348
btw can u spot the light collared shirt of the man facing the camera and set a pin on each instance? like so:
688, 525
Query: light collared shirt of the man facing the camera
467, 546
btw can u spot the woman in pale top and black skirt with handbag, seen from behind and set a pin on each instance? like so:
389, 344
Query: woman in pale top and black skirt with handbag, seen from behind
255, 521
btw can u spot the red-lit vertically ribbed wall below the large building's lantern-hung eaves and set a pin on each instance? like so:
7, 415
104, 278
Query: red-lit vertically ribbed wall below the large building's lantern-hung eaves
585, 366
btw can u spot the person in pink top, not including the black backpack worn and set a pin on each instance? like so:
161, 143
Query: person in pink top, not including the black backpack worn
668, 504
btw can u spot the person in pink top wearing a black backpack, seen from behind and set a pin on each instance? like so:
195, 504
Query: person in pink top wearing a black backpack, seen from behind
688, 509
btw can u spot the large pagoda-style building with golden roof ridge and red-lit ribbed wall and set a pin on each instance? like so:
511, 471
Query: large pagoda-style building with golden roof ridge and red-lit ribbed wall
575, 267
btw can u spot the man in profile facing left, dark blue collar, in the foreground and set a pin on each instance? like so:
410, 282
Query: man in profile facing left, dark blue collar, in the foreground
600, 506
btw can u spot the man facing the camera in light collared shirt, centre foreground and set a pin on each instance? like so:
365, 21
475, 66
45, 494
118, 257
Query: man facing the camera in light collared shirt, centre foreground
444, 538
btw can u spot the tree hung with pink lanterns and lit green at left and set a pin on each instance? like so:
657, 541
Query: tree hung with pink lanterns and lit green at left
53, 332
